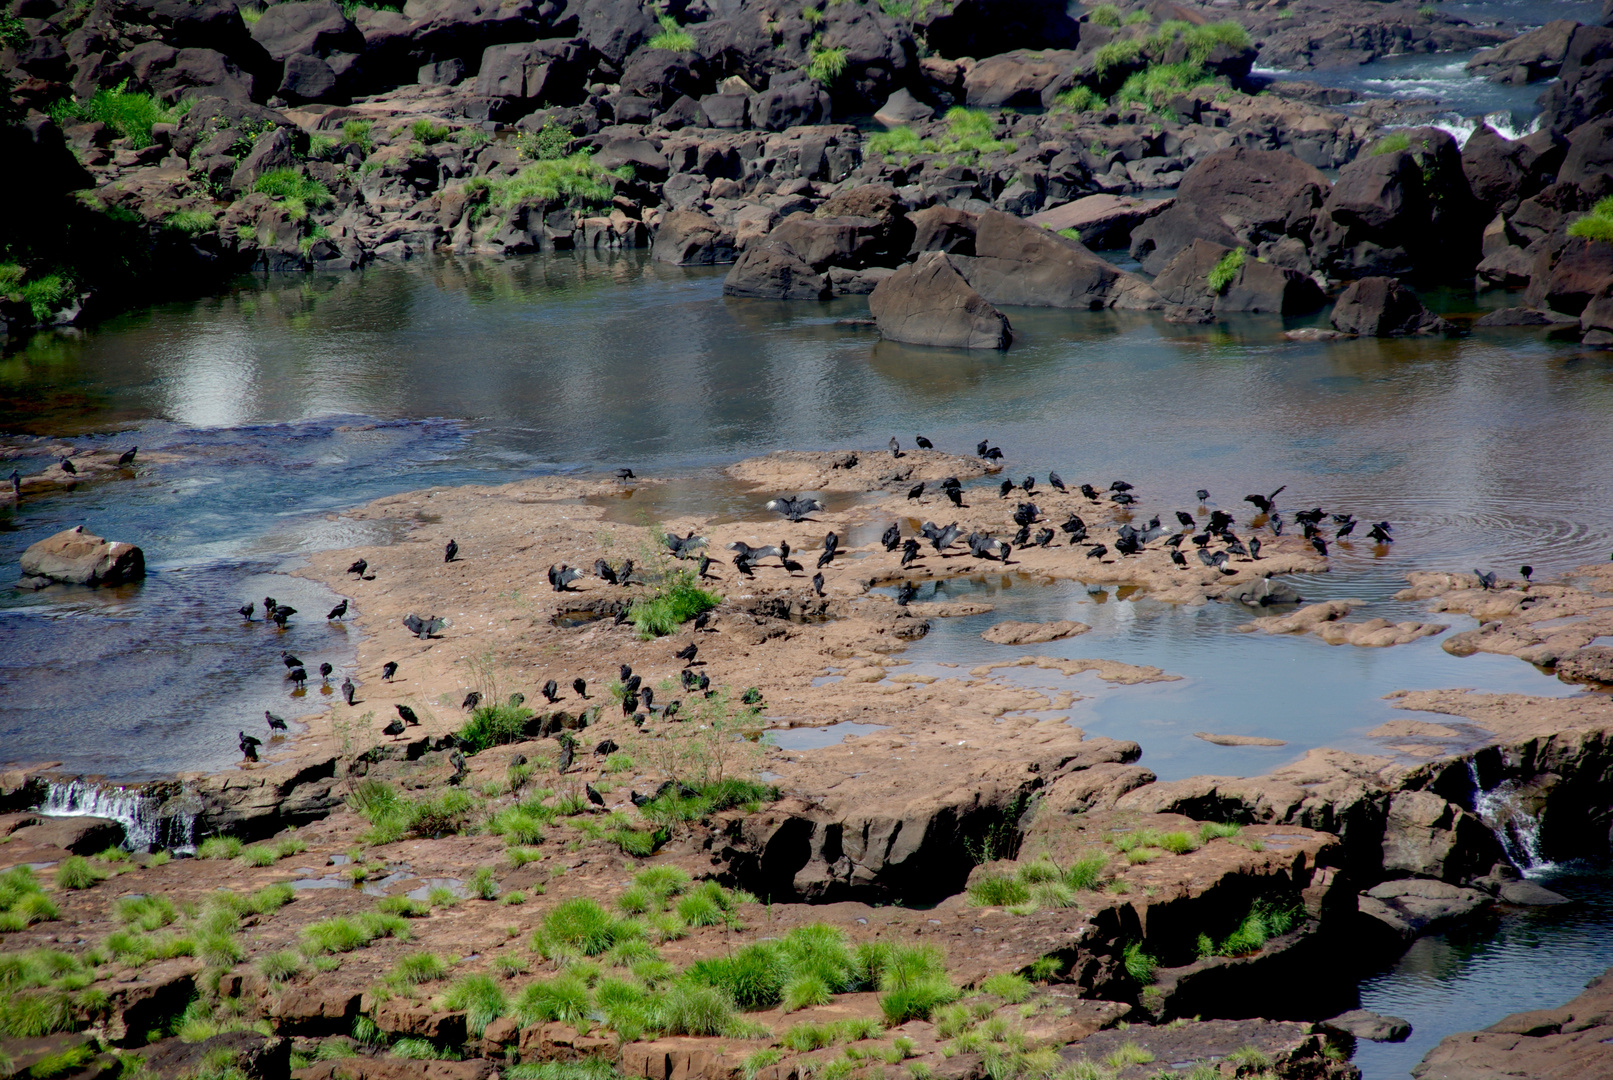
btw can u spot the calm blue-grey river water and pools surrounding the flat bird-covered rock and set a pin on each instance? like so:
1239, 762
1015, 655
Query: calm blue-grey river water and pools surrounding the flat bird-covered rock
286, 402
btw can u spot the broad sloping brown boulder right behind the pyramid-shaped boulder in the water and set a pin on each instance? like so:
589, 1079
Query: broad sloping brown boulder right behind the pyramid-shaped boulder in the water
1017, 264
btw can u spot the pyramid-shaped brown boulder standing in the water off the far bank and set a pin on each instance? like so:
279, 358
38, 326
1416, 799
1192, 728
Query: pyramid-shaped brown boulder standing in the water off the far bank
928, 302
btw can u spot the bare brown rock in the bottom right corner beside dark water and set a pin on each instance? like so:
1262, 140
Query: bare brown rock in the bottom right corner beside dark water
1572, 1042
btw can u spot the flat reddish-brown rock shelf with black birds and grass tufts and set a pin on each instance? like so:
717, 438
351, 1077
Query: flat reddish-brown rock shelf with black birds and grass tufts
590, 876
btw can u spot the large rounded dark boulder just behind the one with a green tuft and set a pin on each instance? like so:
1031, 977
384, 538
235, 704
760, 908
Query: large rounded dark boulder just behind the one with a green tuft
1232, 197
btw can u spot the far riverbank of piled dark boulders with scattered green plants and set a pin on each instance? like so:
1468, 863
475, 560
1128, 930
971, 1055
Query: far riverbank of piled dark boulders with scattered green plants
217, 139
